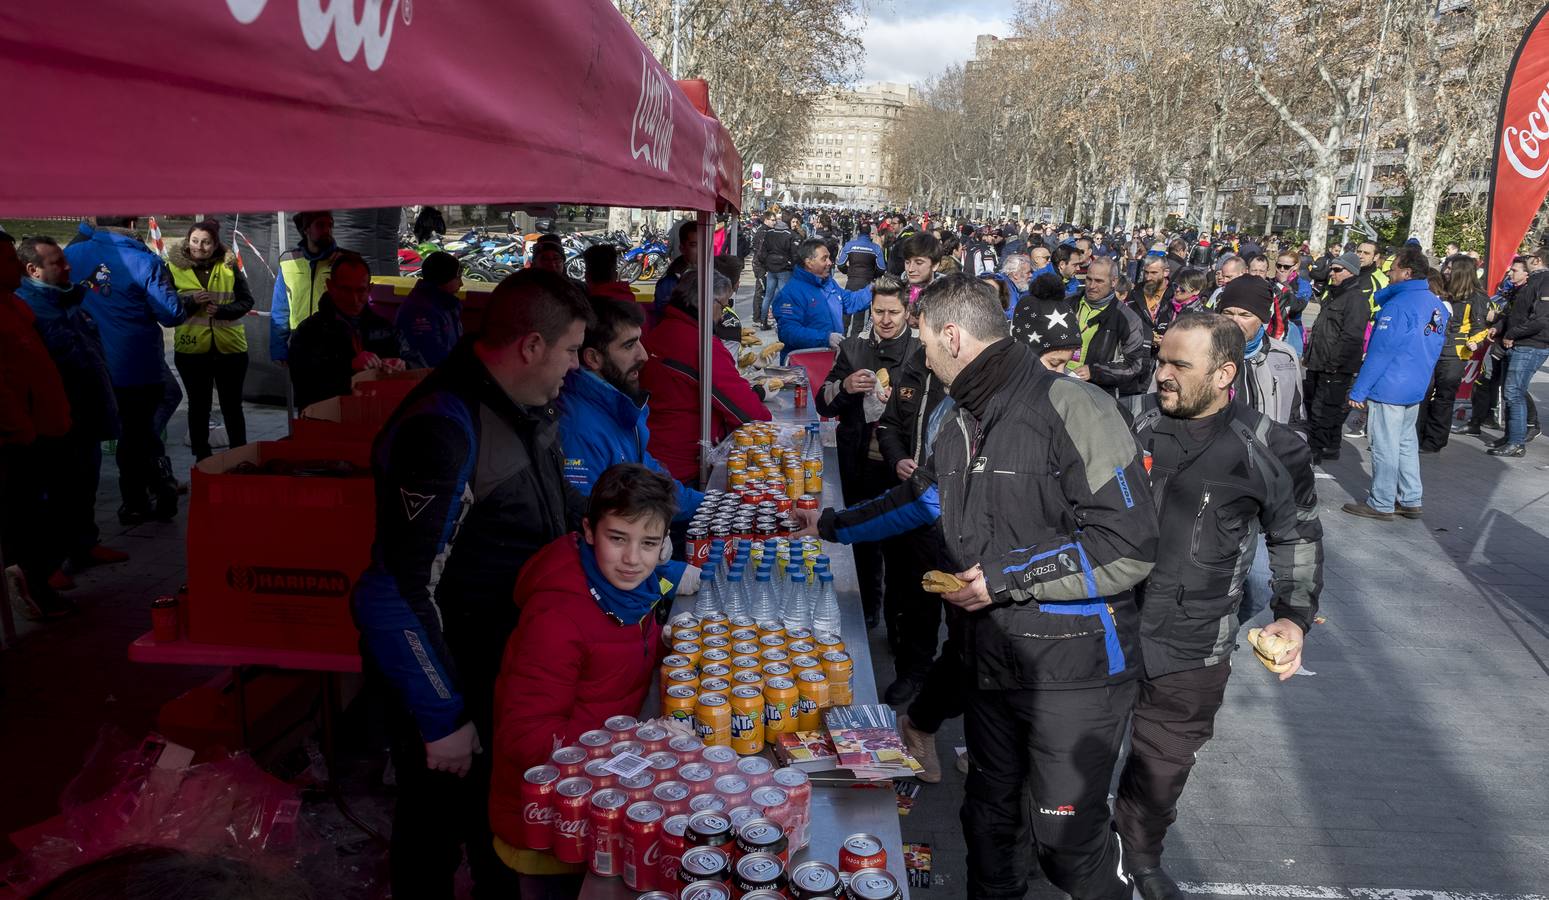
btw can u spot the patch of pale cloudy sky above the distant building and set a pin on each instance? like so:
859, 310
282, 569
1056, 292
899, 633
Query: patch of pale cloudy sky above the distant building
910, 41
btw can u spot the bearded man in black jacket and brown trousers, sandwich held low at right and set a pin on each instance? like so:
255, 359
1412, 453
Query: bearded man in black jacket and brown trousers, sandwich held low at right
1220, 473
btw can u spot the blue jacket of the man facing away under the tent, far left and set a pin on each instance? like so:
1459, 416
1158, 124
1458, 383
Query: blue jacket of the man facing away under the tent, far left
131, 298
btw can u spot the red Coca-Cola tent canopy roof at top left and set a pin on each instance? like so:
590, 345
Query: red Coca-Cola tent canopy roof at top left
238, 106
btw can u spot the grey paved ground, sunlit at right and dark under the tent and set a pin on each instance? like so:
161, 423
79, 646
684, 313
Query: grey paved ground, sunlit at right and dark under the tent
1413, 761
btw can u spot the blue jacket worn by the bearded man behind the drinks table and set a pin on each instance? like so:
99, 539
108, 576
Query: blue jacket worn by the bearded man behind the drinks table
602, 427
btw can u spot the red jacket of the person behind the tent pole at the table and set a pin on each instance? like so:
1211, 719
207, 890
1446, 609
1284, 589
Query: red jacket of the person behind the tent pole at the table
671, 376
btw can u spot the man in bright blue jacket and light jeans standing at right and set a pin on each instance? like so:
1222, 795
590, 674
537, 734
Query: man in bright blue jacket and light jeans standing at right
1401, 357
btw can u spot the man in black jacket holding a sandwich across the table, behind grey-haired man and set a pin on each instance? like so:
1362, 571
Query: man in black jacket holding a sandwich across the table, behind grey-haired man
857, 393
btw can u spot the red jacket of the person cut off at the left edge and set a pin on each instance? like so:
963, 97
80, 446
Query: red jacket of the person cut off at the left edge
33, 399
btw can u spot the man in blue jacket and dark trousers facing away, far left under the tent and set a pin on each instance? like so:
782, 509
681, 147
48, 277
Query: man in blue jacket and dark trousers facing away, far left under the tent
132, 298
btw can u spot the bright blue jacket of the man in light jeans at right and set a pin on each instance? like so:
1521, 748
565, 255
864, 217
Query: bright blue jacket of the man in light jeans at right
1406, 343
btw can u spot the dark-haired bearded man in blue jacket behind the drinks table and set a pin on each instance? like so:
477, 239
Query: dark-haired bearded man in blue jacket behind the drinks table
603, 408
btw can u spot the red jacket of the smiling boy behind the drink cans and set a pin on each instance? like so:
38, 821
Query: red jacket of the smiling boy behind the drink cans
566, 670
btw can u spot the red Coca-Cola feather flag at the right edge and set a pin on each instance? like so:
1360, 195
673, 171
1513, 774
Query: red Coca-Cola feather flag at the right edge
1520, 171
